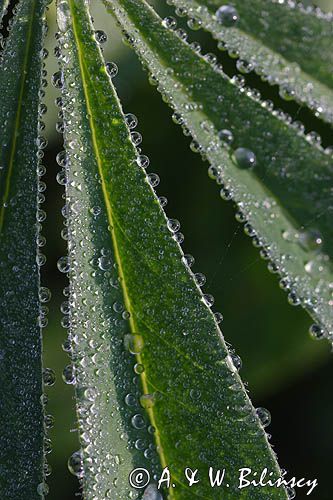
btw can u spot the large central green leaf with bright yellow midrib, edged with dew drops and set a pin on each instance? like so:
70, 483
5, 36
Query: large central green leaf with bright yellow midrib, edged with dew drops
178, 401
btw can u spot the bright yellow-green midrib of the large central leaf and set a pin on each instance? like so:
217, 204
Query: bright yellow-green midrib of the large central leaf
114, 238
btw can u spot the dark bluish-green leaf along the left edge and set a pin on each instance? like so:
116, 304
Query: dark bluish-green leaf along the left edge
21, 411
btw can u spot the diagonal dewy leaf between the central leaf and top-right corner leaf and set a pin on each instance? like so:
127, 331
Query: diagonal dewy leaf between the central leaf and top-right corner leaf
286, 198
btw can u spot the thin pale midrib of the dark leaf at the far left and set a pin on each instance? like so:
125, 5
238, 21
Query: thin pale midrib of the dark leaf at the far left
17, 118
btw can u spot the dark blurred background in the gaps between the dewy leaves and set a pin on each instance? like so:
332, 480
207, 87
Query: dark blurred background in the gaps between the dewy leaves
288, 372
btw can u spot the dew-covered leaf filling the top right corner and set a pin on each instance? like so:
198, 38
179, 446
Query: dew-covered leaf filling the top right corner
284, 42
